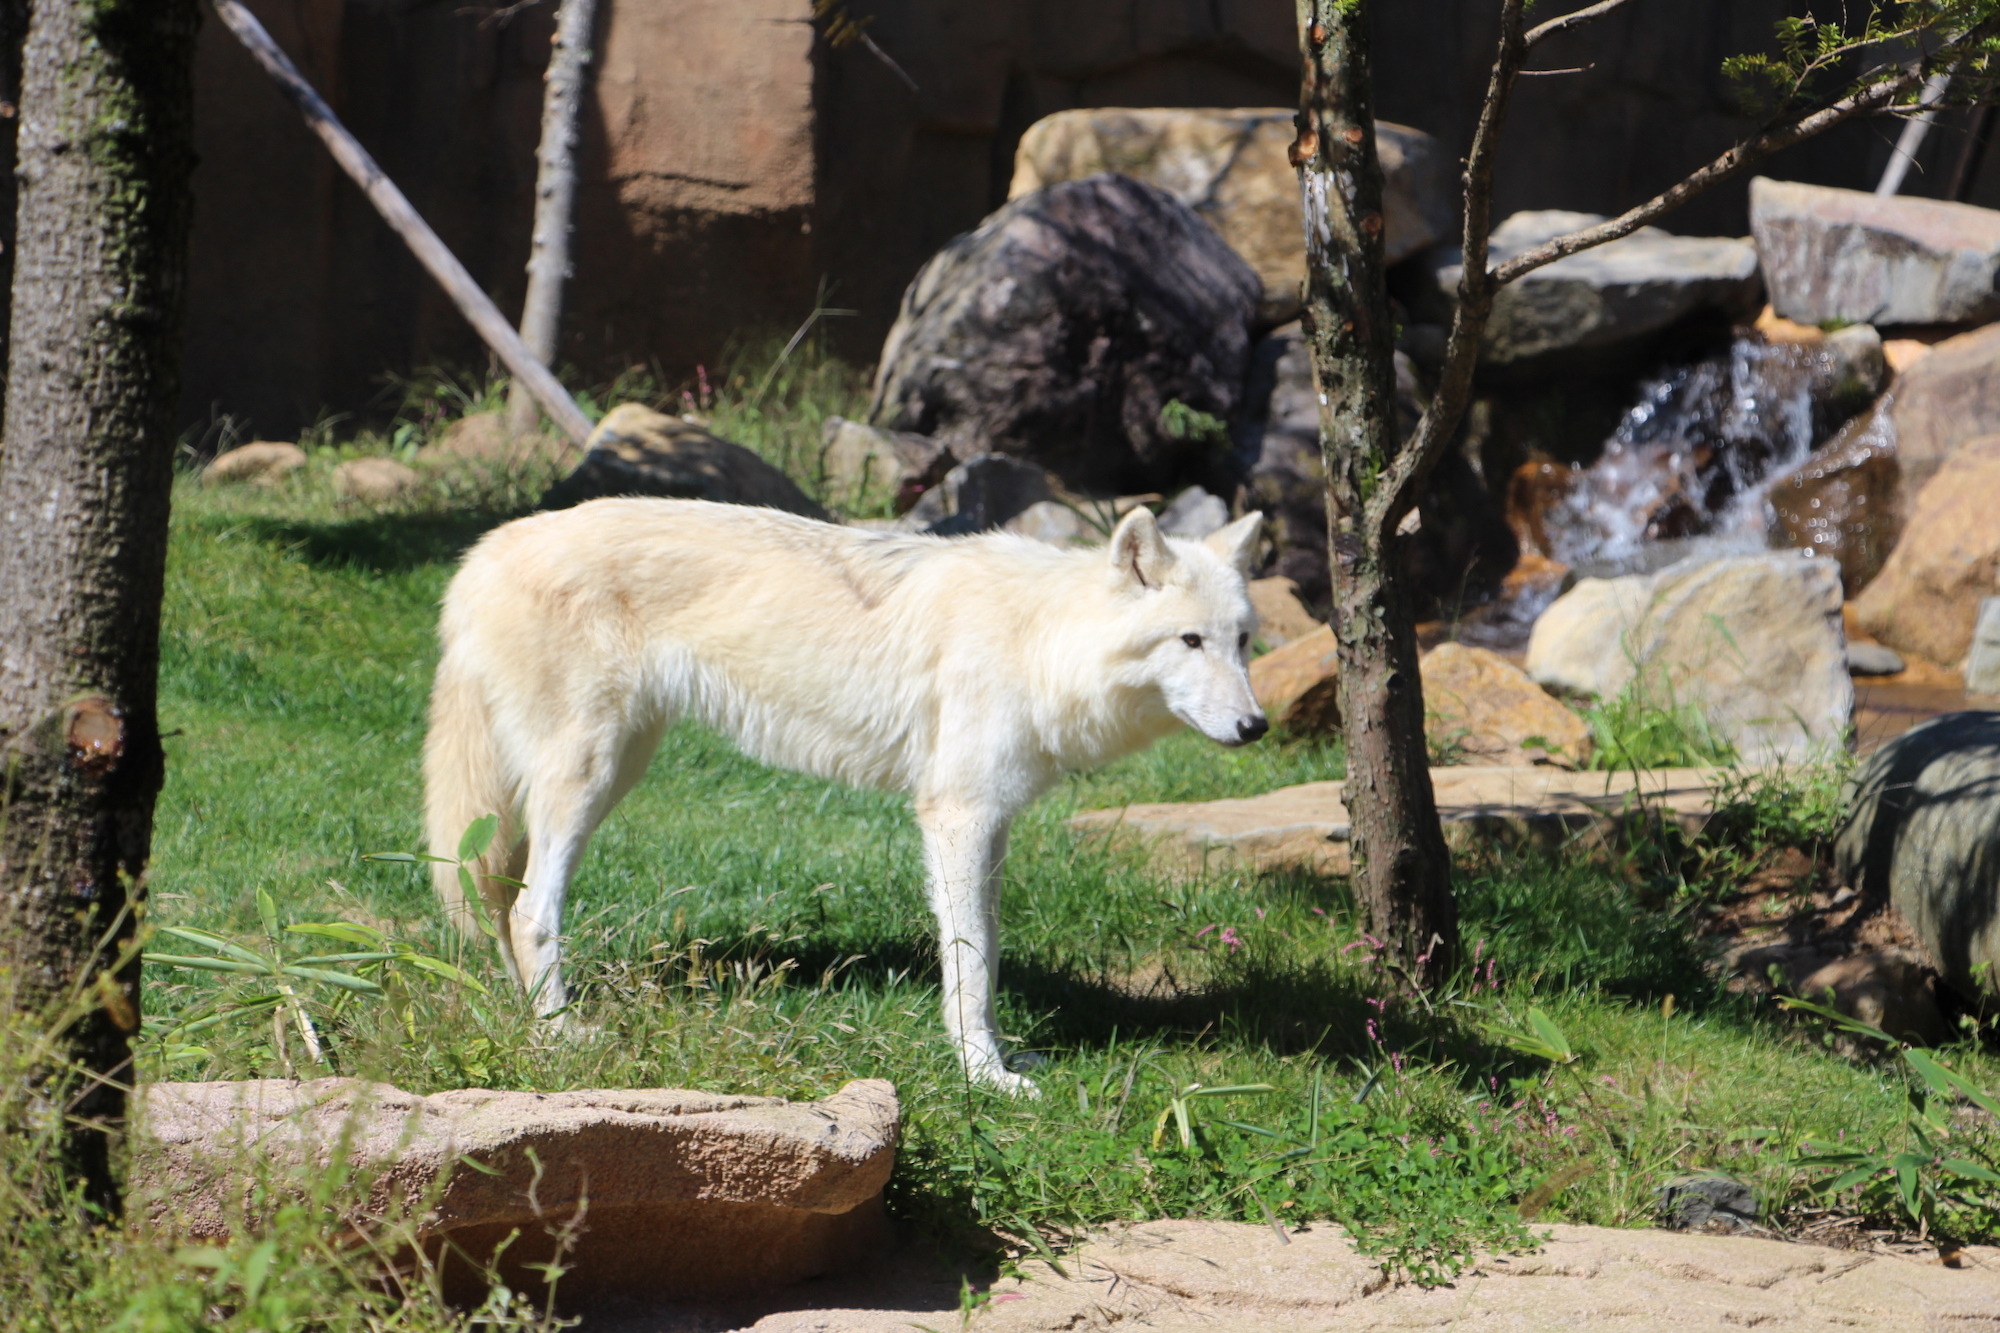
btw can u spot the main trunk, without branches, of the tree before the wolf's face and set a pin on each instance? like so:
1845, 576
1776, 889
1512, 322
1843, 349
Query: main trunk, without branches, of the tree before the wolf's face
1403, 872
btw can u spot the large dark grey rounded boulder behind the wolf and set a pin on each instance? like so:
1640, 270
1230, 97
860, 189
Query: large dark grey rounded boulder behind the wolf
1061, 331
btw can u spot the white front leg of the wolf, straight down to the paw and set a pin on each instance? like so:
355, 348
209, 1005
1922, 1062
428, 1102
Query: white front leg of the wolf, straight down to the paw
963, 852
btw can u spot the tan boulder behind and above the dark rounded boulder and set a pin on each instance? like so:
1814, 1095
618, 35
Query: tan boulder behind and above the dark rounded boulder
1235, 171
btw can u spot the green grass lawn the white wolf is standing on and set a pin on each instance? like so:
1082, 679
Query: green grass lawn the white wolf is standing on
743, 930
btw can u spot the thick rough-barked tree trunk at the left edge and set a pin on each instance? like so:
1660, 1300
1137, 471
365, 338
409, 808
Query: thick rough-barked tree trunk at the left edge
105, 149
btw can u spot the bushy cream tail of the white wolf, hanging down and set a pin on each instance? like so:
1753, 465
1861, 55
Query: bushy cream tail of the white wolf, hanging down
465, 784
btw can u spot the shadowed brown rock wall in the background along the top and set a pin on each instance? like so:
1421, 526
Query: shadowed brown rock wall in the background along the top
733, 159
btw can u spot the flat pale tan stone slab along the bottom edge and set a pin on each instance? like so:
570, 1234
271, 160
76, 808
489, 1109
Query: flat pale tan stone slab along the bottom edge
1233, 1278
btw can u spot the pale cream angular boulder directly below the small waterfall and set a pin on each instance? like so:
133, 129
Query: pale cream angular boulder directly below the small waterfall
1755, 643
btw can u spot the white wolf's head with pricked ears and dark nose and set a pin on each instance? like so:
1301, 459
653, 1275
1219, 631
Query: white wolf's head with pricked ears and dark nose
1189, 621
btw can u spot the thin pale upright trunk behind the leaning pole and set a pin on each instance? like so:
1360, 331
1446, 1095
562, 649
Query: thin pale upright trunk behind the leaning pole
555, 201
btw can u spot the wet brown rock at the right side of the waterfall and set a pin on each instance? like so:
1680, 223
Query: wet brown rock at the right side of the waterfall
1843, 503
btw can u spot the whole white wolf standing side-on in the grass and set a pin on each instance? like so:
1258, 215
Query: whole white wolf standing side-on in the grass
965, 672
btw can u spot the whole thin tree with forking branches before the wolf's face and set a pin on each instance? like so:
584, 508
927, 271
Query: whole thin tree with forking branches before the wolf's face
1403, 872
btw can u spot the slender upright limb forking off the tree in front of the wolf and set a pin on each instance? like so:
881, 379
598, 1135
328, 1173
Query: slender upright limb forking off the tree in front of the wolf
1475, 289
